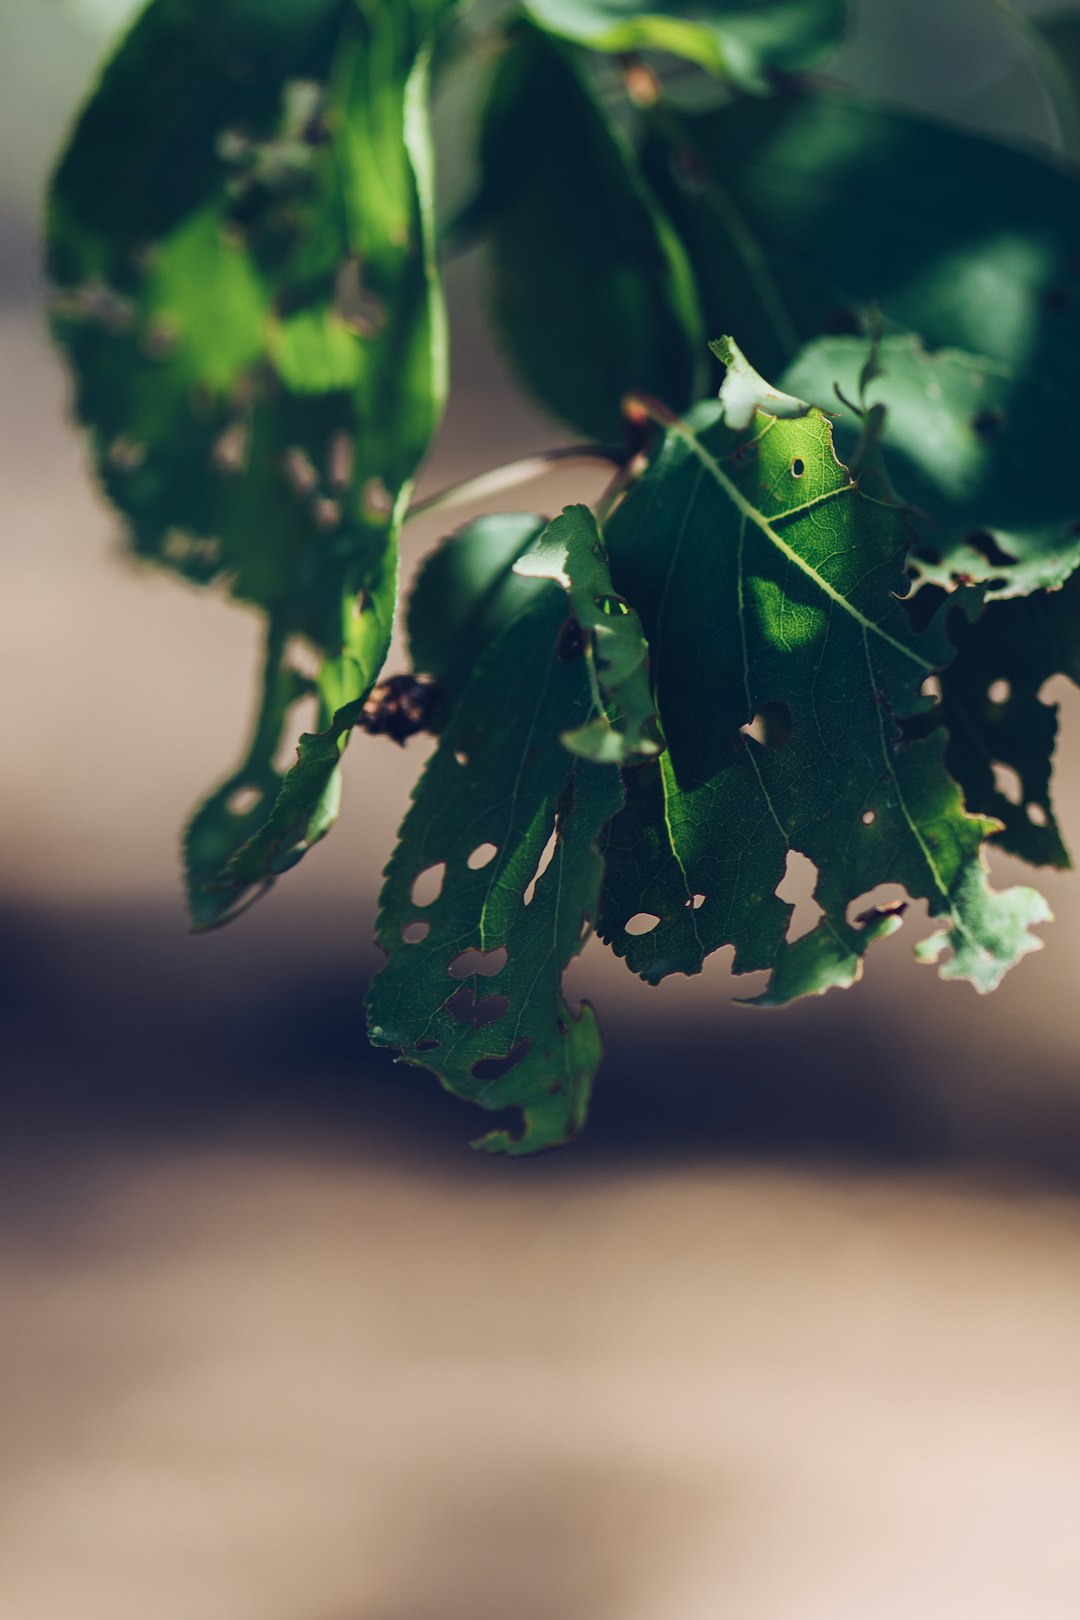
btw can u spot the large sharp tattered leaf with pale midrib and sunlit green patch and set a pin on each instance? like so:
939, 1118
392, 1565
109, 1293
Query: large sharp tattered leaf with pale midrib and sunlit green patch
784, 668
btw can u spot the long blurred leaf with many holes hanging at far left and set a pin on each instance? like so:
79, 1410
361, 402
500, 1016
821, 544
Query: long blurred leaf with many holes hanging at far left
245, 291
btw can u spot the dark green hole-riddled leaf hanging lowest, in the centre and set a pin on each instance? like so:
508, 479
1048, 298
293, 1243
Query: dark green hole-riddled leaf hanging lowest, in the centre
496, 1028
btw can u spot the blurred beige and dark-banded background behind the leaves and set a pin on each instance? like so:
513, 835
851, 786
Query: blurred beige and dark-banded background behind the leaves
789, 1336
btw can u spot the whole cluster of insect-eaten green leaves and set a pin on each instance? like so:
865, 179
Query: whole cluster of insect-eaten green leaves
807, 618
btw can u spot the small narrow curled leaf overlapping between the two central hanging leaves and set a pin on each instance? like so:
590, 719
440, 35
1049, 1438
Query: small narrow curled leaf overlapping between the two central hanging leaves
571, 552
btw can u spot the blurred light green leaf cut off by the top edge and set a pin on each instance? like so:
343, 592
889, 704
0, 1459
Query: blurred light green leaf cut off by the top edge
738, 40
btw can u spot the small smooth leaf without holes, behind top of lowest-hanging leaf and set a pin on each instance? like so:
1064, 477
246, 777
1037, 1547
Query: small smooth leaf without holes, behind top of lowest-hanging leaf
466, 595
